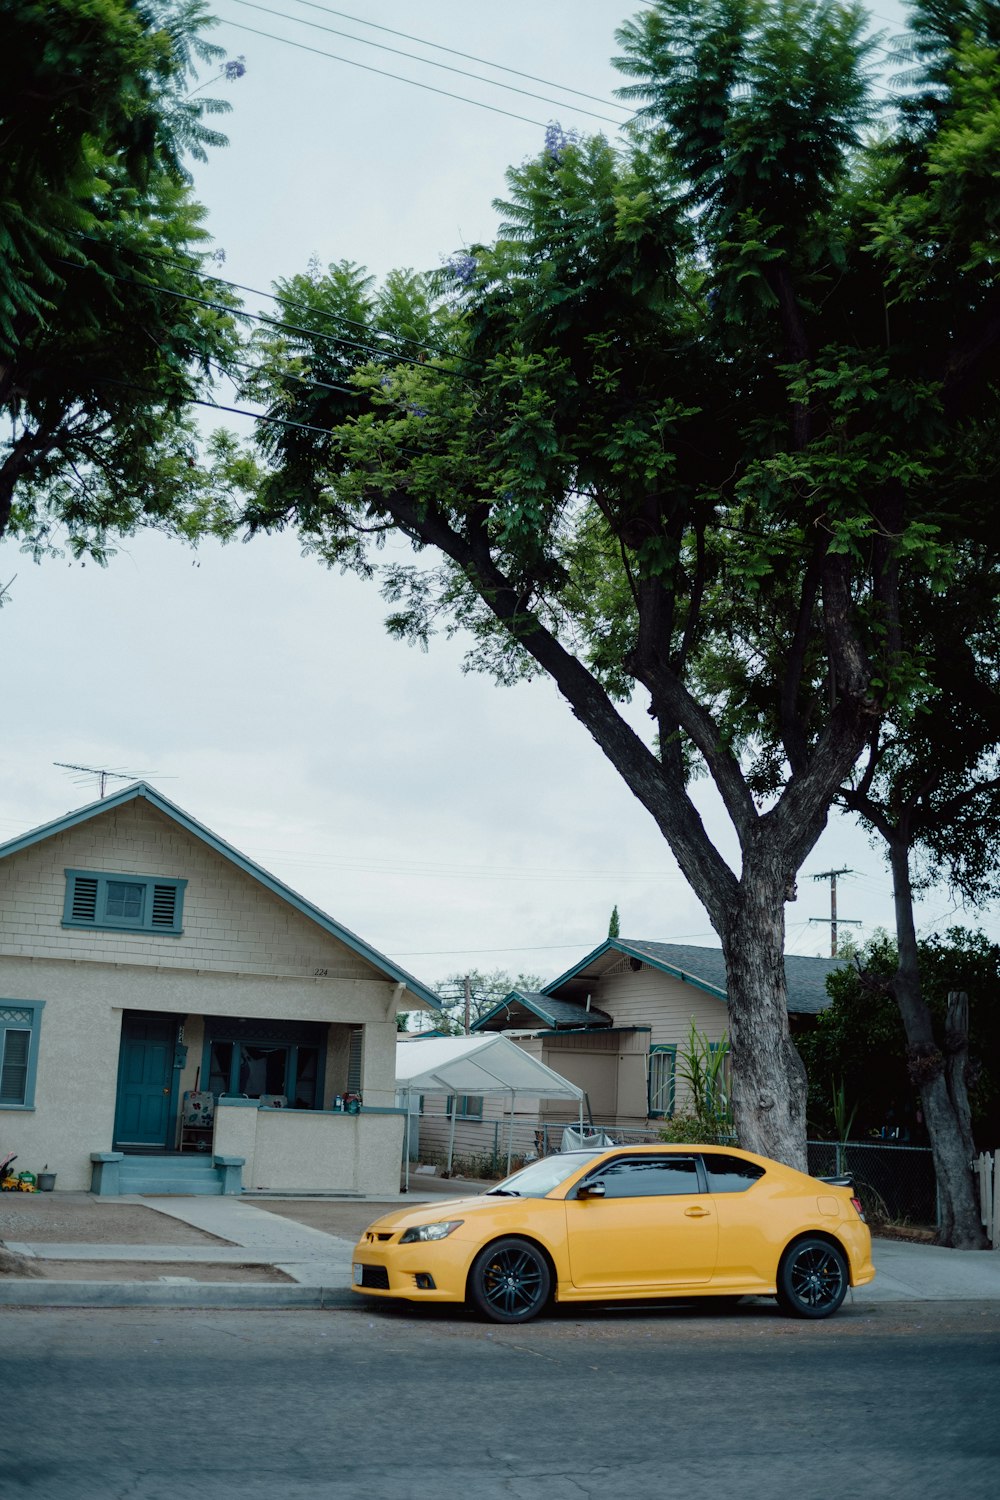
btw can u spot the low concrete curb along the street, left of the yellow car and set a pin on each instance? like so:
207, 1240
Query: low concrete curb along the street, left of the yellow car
242, 1295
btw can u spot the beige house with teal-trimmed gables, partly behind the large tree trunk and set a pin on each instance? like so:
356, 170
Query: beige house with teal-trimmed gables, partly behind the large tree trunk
614, 1025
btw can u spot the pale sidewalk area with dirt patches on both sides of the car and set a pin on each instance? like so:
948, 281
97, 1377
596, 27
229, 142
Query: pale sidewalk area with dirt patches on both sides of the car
296, 1253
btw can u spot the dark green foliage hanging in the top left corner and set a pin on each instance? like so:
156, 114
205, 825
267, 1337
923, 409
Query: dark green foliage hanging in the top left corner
103, 341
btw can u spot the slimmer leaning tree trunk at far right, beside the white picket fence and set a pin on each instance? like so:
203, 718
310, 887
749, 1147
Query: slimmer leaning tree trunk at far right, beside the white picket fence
945, 1115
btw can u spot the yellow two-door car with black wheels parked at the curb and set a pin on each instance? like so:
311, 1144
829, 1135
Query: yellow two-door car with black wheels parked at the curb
632, 1222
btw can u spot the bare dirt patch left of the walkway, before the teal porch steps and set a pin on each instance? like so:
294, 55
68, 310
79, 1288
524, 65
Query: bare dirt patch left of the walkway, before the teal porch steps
76, 1219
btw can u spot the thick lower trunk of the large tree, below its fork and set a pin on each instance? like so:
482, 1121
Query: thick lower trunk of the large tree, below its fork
768, 1081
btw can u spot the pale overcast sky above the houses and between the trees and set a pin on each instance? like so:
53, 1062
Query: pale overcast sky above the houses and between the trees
449, 823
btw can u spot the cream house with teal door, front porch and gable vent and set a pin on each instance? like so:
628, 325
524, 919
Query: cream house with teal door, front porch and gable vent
142, 961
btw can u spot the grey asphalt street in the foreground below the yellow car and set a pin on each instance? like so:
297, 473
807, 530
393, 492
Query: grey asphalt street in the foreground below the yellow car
398, 1405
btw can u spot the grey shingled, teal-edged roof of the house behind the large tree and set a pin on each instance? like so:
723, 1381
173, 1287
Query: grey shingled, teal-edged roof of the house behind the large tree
705, 970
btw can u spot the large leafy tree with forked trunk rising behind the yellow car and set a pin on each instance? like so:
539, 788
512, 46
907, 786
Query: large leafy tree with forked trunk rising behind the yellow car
711, 422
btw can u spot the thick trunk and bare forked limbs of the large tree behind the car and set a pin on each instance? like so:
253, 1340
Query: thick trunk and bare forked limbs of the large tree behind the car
749, 911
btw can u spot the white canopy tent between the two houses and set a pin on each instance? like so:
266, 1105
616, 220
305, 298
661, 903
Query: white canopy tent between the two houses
490, 1066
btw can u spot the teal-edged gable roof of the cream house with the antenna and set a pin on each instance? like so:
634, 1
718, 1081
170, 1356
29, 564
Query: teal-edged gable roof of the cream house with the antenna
142, 791
